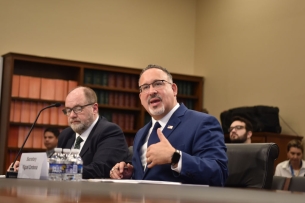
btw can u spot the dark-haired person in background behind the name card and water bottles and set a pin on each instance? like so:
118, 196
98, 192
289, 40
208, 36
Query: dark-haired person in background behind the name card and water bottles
50, 140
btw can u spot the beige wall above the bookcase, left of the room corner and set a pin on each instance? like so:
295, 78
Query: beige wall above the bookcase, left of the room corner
132, 33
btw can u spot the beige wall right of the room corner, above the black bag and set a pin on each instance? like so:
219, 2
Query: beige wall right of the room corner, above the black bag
251, 52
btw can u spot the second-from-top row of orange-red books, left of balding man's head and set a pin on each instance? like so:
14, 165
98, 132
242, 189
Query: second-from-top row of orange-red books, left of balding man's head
27, 111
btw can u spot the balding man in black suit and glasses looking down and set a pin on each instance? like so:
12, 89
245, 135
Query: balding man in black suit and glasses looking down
101, 143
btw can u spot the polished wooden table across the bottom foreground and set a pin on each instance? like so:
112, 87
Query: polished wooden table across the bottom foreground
32, 191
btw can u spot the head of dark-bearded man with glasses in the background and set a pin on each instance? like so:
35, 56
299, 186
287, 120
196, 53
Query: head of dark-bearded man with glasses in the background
240, 130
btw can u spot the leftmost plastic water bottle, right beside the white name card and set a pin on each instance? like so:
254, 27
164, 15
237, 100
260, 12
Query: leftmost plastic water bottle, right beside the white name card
55, 165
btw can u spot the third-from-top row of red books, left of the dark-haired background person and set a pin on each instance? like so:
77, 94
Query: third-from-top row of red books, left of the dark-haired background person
17, 135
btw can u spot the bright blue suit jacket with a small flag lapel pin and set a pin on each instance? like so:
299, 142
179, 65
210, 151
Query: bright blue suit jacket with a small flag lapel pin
200, 138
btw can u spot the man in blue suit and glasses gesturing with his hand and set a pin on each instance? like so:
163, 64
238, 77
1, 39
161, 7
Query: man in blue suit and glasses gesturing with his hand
186, 146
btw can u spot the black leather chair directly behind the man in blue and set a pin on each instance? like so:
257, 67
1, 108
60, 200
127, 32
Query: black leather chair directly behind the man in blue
251, 165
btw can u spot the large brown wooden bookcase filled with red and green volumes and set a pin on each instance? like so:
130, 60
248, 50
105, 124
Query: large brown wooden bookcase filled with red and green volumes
116, 88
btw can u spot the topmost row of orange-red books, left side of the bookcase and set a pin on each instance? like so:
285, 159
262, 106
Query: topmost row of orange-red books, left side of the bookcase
41, 88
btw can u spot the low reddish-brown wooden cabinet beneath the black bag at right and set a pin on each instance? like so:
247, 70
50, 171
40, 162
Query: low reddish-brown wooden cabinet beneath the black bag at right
280, 139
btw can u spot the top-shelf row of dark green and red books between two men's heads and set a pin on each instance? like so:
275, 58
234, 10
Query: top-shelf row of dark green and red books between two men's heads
119, 80
